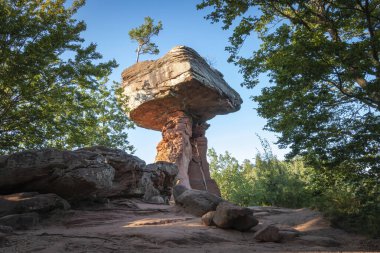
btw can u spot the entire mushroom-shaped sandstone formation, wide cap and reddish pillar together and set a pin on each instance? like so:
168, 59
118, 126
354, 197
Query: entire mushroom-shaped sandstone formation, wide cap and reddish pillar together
176, 95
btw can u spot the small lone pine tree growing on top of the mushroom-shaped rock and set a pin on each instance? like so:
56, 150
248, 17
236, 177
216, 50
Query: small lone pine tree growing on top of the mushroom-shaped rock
143, 34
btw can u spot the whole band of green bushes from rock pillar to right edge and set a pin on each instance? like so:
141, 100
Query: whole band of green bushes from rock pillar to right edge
350, 203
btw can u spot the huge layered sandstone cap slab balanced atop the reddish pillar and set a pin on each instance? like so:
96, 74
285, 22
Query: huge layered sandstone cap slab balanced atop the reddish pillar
179, 81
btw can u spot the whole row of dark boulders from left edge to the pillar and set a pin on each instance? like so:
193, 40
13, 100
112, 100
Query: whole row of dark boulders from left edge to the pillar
84, 174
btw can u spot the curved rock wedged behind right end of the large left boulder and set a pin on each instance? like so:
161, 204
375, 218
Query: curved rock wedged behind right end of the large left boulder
128, 170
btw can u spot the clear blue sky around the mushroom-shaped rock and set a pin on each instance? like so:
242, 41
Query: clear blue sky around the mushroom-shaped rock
108, 23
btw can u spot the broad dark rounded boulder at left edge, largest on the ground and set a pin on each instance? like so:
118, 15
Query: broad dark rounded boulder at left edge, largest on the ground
71, 175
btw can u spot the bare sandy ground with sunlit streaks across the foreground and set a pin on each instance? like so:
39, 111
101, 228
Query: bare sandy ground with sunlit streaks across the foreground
134, 226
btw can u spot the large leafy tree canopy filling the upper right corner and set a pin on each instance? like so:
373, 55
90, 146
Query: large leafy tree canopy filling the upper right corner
322, 58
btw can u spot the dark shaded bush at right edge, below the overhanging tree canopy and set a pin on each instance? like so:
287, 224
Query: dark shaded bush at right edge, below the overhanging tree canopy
351, 203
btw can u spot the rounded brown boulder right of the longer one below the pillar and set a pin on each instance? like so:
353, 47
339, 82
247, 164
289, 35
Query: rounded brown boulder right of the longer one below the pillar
228, 215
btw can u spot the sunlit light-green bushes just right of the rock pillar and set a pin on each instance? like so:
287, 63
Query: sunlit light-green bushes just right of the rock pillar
267, 182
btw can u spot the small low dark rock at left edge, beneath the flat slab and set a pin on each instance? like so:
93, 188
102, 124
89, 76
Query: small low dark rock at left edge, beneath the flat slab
20, 221
